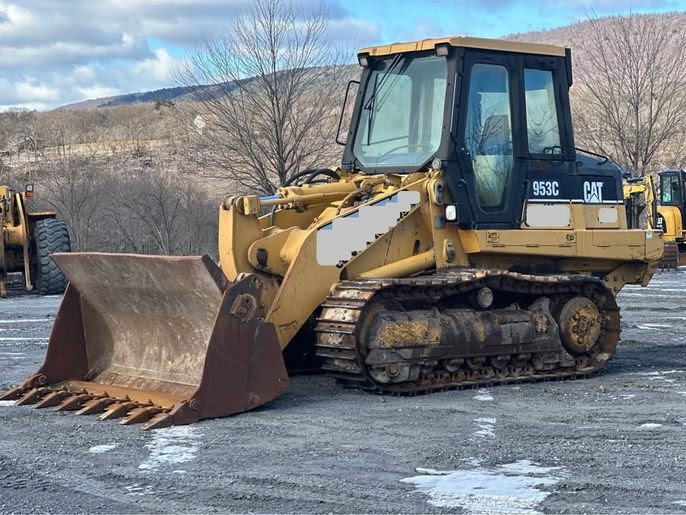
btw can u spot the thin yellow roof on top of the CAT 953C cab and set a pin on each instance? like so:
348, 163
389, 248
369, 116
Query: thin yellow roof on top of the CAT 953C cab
468, 42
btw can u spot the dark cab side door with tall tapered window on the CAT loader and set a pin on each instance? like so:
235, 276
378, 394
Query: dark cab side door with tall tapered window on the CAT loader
490, 189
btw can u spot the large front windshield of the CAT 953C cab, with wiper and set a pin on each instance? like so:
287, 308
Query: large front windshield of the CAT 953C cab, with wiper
402, 111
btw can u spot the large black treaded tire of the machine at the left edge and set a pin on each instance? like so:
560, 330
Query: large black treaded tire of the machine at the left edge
50, 236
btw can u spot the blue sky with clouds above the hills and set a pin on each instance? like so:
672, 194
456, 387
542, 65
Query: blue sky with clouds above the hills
55, 52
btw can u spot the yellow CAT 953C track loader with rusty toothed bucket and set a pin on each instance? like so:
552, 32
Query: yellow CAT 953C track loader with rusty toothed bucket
462, 241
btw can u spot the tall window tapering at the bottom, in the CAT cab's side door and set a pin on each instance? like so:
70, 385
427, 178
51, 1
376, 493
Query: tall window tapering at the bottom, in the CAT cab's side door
488, 133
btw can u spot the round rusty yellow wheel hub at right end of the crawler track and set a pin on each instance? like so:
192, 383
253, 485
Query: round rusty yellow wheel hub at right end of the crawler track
580, 325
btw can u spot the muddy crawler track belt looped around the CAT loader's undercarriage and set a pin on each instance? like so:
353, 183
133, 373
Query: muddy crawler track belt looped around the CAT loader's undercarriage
339, 348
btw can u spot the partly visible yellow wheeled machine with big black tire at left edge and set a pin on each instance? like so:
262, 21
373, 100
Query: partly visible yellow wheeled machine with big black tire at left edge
28, 239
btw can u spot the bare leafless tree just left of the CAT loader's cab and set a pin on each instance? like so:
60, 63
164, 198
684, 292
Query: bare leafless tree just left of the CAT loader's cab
275, 93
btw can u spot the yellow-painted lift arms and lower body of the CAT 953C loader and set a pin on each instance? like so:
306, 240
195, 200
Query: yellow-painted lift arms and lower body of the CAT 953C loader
417, 243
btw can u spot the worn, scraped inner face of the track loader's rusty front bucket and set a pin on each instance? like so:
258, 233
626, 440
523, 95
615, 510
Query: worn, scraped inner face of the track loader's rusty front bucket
147, 319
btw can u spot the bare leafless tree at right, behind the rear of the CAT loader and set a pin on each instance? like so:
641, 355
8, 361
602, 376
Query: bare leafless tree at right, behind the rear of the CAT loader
631, 102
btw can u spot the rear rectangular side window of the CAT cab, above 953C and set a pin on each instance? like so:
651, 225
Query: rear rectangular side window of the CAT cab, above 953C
543, 130
